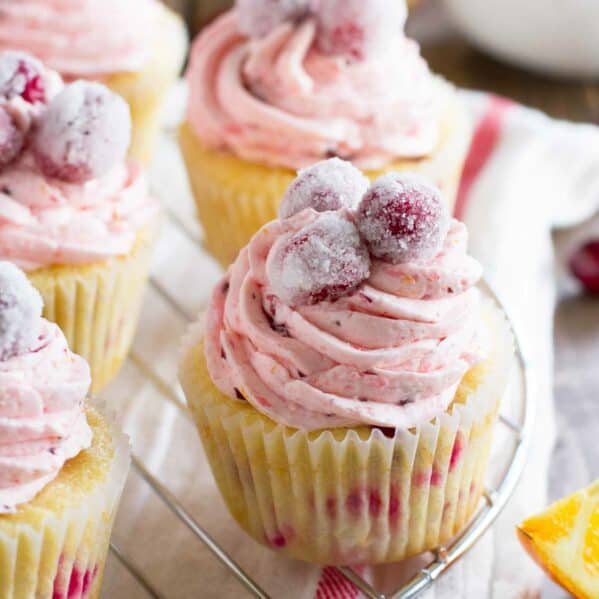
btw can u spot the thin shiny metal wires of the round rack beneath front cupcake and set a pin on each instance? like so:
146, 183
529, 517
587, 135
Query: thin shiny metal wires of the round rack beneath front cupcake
445, 557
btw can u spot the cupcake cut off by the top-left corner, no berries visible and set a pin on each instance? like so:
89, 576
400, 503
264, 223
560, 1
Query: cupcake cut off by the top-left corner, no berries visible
135, 47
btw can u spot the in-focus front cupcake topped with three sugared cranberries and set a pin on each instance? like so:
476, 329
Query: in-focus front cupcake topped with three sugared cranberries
346, 379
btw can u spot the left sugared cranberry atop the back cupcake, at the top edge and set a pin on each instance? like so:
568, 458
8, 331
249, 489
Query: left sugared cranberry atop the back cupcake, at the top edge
257, 18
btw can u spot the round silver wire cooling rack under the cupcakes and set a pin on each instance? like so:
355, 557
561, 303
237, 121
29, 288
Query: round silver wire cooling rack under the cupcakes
517, 427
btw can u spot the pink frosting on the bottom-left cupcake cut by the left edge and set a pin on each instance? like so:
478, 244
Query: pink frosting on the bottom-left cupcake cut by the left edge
42, 420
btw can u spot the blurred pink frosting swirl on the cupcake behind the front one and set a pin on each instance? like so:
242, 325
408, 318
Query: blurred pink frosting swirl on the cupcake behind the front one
280, 101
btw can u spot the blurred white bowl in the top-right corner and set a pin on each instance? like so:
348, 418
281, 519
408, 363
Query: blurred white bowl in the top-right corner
559, 37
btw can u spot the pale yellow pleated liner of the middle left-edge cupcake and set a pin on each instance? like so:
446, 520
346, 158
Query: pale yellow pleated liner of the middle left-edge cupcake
97, 306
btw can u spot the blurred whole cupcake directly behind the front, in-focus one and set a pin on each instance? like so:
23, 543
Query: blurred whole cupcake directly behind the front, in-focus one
277, 86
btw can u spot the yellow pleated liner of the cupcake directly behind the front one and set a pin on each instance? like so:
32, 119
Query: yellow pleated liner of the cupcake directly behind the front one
234, 198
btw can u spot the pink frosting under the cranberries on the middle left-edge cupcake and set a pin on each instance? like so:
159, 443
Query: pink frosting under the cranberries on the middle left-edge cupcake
46, 221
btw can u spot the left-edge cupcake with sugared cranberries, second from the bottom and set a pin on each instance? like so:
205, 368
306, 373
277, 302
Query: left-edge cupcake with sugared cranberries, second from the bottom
74, 214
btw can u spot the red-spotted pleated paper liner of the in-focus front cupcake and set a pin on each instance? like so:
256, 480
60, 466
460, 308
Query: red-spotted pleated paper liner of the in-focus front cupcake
351, 496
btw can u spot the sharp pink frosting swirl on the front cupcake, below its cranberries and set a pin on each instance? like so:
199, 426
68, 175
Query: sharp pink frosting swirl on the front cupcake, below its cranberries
390, 354
